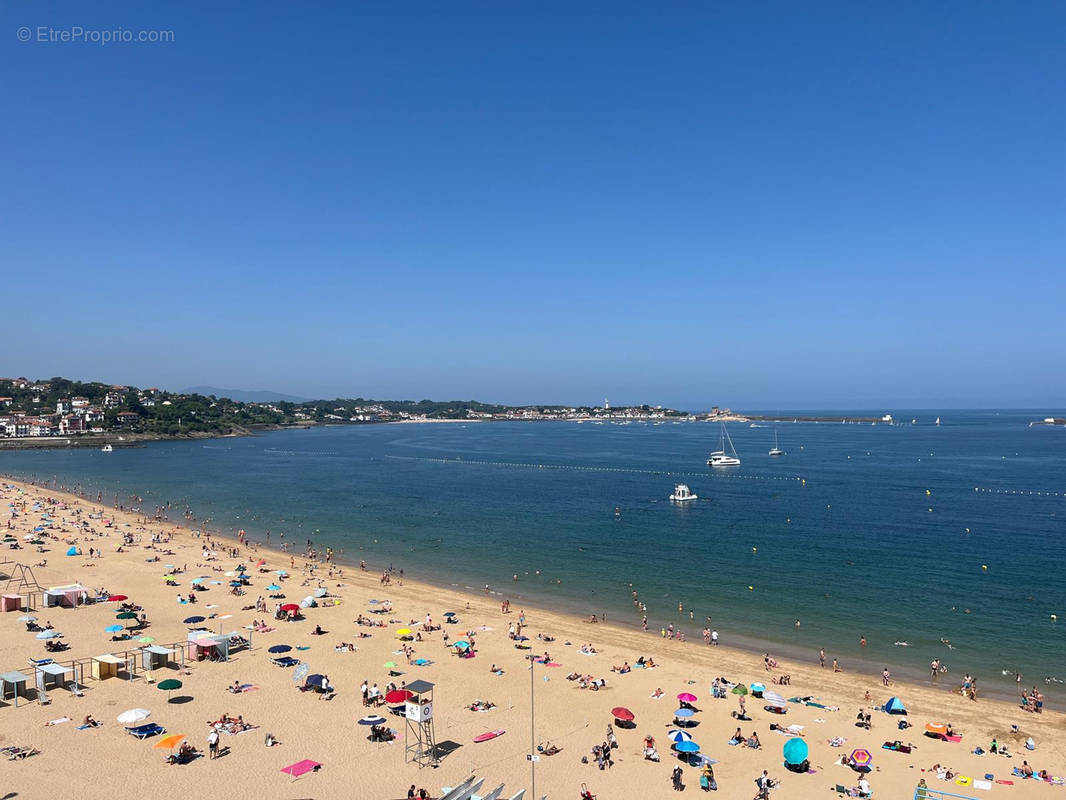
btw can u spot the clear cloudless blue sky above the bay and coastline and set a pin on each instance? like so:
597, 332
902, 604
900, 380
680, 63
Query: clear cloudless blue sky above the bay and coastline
761, 205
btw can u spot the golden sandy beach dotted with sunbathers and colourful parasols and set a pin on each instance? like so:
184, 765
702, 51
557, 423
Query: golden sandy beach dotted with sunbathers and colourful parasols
73, 762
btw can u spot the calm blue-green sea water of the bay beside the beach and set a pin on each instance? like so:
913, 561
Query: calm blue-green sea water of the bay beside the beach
859, 549
